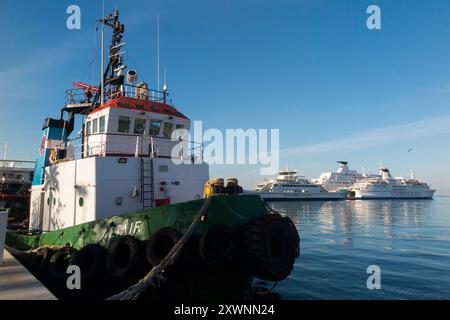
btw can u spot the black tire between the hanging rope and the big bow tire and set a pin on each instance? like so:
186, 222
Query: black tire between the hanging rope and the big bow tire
218, 245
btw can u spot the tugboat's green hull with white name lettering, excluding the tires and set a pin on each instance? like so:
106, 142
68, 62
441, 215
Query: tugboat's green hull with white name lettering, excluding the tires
184, 281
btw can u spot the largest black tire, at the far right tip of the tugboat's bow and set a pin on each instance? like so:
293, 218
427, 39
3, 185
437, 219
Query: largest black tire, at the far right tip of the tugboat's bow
270, 247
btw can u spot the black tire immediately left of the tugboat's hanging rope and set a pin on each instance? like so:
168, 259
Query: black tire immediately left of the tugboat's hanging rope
160, 244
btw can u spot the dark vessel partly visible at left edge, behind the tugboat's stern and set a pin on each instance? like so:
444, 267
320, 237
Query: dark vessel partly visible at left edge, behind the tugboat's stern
15, 182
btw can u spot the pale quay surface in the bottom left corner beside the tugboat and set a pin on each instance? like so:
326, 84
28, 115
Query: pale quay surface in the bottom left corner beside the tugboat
17, 283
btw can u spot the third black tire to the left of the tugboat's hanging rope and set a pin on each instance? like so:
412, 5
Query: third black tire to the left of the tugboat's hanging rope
91, 260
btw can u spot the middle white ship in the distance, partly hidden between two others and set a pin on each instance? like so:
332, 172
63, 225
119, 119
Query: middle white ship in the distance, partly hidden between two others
340, 180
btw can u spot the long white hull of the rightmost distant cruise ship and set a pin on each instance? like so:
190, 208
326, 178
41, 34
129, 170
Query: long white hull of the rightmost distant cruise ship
392, 193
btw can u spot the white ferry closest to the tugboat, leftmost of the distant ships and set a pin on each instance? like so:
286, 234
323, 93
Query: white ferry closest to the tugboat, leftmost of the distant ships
288, 186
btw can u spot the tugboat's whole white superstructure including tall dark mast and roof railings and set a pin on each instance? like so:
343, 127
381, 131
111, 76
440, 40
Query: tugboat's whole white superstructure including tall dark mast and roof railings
131, 153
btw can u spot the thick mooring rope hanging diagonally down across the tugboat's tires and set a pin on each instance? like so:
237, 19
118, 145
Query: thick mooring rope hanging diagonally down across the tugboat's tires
156, 273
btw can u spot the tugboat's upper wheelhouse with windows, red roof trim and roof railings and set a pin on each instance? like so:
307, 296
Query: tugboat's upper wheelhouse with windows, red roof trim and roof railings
133, 122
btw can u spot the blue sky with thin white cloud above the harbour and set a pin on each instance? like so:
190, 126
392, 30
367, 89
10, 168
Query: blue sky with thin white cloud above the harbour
312, 69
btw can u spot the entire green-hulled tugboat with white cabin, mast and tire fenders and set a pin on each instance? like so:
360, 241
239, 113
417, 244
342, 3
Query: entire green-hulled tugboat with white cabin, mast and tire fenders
129, 202
